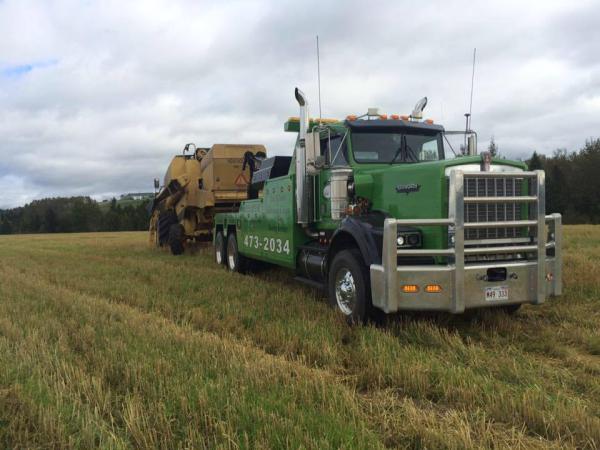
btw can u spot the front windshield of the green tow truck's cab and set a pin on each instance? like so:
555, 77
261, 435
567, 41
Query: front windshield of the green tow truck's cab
394, 147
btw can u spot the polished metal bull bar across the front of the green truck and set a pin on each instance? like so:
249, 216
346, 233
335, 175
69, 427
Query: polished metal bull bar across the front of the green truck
533, 280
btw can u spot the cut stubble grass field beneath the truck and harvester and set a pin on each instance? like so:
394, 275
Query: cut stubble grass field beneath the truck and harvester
107, 343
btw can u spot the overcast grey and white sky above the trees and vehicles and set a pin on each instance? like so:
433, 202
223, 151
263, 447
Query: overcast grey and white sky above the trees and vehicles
96, 96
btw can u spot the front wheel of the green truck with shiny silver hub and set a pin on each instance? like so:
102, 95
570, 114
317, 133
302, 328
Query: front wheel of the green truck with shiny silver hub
349, 286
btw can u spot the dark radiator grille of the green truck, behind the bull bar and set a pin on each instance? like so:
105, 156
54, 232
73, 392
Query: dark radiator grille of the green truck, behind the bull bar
492, 212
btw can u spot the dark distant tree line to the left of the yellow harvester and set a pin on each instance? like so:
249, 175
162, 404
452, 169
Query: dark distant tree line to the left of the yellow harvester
74, 214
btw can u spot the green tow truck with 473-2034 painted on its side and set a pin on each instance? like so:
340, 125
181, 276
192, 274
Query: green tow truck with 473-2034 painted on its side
369, 209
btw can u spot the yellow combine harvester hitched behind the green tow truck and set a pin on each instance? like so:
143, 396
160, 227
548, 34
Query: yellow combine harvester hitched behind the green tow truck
199, 183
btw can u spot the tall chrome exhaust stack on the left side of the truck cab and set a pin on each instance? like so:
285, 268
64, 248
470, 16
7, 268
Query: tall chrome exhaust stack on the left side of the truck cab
302, 194
